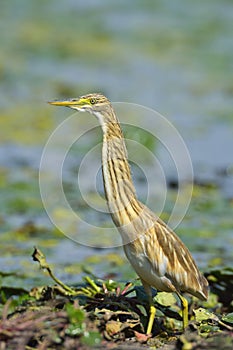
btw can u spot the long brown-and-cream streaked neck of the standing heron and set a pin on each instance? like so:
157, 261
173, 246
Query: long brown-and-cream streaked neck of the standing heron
119, 189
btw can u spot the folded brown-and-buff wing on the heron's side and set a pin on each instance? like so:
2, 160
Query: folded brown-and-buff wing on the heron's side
172, 259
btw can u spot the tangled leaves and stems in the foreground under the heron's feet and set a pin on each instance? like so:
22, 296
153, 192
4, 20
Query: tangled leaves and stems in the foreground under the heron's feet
104, 313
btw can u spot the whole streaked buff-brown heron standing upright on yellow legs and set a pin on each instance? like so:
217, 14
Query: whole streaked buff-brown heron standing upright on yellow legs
156, 253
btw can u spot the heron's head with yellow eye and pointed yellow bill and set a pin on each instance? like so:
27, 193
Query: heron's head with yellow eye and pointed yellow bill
92, 103
